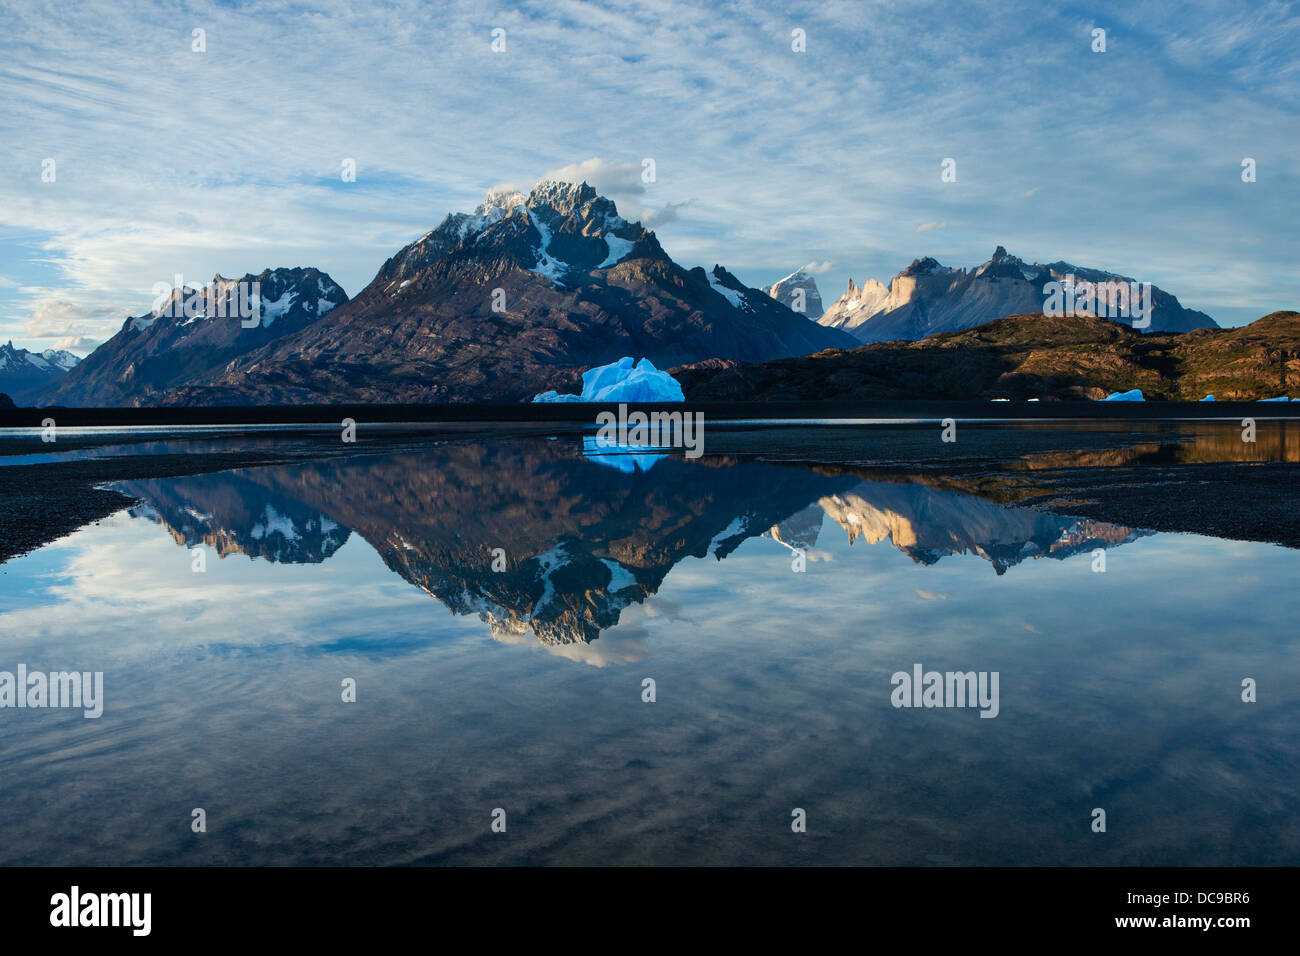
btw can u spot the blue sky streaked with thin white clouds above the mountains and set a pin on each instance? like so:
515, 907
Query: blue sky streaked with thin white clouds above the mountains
129, 158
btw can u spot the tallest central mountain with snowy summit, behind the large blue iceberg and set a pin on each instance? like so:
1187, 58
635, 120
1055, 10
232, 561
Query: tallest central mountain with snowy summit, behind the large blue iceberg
517, 299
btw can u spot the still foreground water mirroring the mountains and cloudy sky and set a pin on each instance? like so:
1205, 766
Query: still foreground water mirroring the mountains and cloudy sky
521, 687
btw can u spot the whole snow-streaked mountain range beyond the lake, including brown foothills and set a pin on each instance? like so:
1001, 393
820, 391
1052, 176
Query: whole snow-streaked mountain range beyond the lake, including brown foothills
528, 292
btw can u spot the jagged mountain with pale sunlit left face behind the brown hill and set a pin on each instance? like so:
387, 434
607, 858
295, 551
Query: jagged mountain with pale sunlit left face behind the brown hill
929, 299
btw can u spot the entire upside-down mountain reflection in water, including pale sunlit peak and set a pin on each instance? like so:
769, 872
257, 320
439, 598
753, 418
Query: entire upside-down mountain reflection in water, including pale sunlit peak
532, 537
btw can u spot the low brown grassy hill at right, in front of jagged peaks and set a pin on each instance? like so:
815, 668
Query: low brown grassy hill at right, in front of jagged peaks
1029, 357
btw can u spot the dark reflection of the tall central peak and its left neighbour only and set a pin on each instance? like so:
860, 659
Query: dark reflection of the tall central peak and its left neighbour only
582, 542
